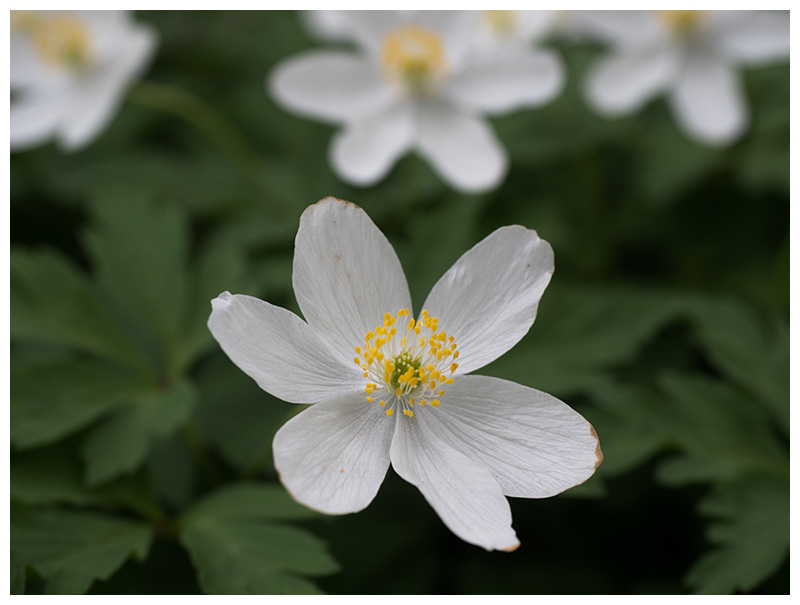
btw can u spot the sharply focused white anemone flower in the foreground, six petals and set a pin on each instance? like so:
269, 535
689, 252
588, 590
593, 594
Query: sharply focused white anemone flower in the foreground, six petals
390, 389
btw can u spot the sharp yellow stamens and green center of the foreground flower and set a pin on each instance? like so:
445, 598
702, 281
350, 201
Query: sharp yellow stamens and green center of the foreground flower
406, 362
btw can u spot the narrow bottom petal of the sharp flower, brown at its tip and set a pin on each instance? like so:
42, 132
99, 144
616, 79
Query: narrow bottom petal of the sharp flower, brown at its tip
461, 491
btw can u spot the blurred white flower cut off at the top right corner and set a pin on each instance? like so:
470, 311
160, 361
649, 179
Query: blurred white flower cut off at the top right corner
691, 56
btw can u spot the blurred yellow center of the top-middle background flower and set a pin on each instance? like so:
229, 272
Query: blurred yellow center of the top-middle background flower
414, 58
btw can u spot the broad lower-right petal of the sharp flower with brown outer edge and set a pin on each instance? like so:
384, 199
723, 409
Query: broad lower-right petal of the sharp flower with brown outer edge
535, 445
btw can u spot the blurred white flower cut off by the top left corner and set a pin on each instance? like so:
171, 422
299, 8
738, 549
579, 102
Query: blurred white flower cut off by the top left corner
70, 71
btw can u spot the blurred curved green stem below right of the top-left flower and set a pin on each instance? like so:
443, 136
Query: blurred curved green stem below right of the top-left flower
204, 117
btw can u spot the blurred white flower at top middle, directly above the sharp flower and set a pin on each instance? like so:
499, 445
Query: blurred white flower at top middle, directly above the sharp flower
417, 81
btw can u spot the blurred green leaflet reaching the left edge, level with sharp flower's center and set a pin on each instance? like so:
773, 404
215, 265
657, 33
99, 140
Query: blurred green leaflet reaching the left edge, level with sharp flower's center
54, 398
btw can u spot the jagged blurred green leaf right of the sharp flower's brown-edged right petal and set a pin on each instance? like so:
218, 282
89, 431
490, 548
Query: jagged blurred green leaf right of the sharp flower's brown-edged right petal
720, 433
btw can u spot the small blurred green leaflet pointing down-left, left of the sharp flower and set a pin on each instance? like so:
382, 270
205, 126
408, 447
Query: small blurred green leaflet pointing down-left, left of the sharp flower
121, 443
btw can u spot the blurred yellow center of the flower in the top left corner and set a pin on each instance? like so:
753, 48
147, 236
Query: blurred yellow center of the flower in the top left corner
61, 41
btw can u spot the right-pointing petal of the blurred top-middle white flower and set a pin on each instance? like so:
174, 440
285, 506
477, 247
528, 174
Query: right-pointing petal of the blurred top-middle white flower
508, 80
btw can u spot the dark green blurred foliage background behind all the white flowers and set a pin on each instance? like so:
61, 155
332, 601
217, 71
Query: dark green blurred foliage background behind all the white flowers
141, 457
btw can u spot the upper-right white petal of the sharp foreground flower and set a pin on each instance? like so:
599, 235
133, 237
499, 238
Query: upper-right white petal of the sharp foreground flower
488, 299
